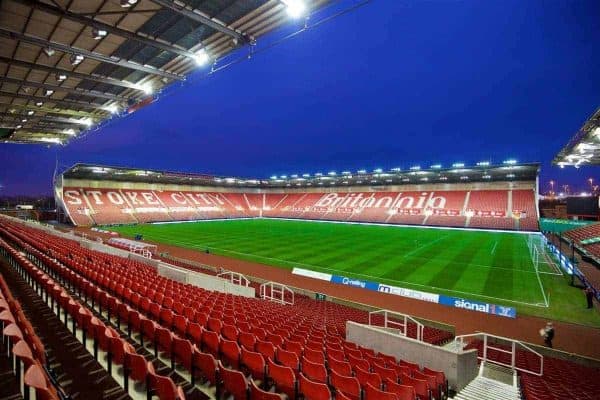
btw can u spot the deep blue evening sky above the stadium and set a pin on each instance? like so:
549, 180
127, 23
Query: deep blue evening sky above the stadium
392, 84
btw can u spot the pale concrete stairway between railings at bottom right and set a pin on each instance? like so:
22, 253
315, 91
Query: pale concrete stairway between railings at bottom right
493, 383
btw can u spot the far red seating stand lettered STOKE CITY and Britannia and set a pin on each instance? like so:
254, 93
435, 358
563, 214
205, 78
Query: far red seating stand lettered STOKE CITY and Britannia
474, 208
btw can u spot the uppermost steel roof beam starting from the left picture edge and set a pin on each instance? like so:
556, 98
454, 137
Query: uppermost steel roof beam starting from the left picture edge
25, 37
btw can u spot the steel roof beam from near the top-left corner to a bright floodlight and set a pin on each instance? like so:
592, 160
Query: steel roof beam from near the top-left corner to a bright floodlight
47, 8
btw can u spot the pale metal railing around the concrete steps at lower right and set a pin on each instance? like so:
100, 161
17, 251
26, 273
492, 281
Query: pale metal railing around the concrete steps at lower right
503, 346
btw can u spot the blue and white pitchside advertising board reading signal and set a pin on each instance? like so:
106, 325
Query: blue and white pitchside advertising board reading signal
457, 302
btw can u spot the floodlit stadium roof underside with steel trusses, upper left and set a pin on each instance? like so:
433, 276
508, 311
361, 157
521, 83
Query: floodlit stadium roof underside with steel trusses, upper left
69, 65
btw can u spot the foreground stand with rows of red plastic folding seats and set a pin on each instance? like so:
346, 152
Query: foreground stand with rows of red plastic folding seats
129, 297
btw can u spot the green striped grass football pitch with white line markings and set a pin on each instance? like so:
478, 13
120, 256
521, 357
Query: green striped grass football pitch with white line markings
495, 267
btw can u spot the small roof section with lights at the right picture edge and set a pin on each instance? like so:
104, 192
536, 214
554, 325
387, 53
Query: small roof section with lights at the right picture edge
584, 147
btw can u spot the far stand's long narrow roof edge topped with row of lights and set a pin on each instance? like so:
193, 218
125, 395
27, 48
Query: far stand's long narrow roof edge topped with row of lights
509, 171
